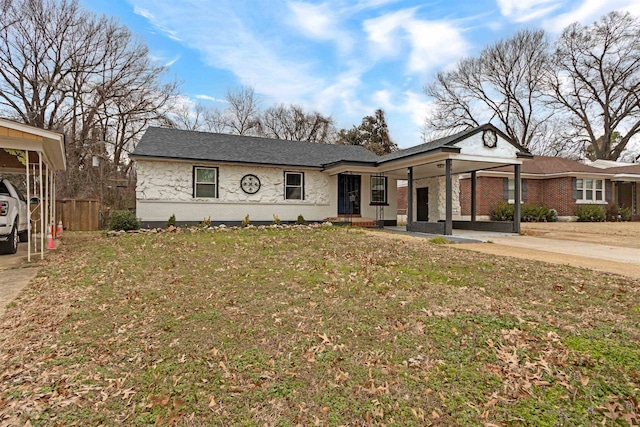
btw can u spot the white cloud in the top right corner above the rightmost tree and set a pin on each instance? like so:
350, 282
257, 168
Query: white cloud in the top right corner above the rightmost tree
590, 11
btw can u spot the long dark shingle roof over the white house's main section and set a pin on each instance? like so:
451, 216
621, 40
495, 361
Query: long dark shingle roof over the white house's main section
190, 145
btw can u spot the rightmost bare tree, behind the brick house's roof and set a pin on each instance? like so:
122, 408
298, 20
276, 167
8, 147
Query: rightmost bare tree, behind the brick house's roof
597, 80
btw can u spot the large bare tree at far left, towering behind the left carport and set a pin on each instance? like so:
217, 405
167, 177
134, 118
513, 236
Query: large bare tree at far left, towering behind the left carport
65, 69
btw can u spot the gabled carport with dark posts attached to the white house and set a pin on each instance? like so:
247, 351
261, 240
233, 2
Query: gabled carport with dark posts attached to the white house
429, 170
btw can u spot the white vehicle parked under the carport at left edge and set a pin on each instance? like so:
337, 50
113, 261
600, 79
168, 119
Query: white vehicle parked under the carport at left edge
14, 225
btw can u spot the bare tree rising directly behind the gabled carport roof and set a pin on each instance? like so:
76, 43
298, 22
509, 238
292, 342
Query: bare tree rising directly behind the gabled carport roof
504, 83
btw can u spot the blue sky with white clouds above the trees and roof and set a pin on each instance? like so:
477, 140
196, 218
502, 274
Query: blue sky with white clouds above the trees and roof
342, 58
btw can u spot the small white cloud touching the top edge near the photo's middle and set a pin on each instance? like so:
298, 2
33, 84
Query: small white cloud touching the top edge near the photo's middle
320, 22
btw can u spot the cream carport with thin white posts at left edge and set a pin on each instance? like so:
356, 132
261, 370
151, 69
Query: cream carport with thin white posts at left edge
38, 154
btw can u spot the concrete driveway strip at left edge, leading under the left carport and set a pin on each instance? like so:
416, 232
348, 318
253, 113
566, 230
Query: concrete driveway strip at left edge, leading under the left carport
15, 274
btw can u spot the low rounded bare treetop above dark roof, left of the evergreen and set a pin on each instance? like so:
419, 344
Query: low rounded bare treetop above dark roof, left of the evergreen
293, 123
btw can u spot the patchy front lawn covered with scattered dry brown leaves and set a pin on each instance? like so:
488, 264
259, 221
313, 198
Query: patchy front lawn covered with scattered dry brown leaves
315, 326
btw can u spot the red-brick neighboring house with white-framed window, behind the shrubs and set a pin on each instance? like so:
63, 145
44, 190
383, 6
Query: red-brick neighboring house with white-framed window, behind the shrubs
561, 184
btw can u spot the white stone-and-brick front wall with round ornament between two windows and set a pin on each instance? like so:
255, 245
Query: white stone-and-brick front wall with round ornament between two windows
166, 188
